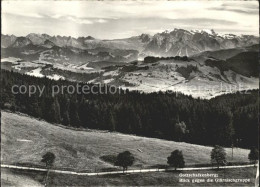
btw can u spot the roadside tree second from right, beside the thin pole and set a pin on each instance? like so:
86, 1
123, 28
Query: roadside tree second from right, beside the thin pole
218, 155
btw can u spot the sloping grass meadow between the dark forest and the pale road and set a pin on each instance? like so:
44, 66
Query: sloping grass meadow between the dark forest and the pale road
26, 139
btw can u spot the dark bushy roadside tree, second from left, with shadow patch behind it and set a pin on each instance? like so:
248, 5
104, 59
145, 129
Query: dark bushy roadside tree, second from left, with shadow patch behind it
124, 159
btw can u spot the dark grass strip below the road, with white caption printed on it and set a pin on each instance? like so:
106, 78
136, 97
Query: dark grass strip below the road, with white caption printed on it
140, 179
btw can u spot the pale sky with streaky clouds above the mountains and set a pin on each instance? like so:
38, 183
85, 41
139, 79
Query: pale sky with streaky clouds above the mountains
122, 19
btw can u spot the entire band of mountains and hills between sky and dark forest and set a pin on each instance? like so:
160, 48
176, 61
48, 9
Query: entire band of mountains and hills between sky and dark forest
174, 60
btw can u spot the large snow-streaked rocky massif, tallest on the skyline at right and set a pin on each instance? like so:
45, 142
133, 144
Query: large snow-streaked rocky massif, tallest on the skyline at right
180, 42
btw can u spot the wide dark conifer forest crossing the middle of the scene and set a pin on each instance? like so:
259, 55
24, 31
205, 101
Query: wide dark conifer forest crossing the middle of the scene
224, 120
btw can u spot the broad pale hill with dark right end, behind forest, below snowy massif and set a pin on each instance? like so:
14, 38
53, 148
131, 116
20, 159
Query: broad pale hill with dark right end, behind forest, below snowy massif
203, 78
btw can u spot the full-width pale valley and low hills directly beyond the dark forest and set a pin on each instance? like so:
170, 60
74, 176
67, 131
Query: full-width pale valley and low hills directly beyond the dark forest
201, 75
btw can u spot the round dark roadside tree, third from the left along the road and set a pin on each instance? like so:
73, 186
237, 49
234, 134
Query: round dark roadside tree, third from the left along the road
176, 159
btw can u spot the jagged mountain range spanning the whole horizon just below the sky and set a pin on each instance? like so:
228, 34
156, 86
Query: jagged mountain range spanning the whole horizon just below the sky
168, 43
